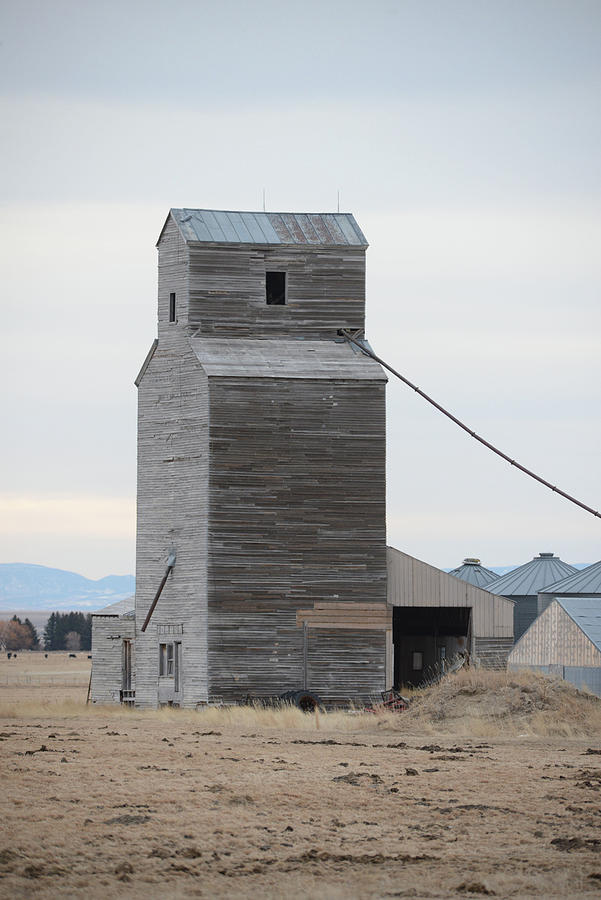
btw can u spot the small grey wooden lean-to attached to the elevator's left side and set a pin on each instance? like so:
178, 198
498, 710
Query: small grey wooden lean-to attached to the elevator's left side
113, 632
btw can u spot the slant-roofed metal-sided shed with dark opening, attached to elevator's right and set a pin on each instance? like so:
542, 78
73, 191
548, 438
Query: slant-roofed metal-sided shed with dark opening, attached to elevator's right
436, 616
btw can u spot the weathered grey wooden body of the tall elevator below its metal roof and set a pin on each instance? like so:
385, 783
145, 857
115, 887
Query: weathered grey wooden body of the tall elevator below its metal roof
271, 489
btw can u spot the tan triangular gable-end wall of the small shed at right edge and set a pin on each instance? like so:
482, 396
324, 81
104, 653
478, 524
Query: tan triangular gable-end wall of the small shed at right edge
555, 639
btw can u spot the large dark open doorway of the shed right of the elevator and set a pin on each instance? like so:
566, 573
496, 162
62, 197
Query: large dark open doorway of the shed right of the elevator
425, 638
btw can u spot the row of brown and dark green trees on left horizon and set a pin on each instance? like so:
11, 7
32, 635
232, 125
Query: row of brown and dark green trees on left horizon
64, 631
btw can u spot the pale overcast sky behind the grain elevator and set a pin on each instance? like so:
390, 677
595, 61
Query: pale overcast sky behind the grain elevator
465, 137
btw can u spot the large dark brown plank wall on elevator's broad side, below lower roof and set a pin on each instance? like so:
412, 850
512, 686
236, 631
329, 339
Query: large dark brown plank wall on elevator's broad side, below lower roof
297, 516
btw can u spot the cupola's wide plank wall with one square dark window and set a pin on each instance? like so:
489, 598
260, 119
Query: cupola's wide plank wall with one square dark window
325, 291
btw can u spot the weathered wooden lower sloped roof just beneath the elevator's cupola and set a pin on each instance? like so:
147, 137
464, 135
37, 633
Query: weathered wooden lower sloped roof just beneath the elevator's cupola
323, 360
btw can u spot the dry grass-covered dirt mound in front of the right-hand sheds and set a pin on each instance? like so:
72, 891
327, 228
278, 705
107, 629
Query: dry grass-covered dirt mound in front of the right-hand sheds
479, 701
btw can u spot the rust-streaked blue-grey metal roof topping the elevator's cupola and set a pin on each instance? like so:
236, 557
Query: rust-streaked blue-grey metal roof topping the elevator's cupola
216, 226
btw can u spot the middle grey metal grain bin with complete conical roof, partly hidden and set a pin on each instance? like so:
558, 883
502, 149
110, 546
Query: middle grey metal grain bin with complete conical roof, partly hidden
523, 584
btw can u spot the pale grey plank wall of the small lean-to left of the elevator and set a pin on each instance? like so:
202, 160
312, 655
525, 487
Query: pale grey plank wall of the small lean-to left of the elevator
108, 634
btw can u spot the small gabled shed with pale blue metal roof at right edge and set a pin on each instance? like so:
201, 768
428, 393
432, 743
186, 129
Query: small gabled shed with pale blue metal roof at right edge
565, 640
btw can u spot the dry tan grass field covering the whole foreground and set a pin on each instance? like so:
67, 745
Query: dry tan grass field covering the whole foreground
489, 786
